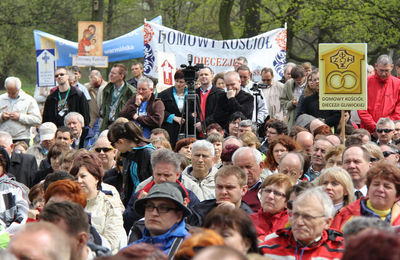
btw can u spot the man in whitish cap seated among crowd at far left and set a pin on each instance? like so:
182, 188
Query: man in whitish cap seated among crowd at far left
47, 133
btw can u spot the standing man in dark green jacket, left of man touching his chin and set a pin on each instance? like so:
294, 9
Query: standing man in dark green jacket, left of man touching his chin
115, 95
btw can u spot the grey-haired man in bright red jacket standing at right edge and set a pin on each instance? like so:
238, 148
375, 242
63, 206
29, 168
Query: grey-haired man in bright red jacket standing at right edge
383, 95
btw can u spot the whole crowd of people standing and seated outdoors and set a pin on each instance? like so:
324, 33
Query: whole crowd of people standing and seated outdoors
110, 170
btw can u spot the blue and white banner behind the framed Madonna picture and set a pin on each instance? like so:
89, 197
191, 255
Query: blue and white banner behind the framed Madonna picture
125, 47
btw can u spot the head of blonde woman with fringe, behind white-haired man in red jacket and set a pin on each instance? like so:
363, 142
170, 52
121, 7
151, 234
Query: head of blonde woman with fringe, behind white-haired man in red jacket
339, 186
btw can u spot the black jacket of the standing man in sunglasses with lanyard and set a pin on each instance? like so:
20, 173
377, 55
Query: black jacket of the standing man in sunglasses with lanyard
76, 102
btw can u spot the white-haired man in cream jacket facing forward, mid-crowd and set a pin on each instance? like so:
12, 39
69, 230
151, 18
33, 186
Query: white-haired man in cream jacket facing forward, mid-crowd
201, 171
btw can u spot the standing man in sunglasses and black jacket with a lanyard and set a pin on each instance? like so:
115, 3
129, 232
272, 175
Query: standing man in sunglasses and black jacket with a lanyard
64, 100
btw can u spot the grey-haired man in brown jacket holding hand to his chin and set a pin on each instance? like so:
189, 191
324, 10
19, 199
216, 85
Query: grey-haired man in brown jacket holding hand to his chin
144, 107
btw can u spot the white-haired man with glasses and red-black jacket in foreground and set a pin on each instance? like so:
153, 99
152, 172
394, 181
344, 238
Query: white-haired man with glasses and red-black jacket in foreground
309, 236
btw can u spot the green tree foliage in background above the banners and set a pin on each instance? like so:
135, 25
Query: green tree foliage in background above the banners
376, 22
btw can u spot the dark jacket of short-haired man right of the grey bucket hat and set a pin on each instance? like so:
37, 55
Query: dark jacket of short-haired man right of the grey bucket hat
200, 211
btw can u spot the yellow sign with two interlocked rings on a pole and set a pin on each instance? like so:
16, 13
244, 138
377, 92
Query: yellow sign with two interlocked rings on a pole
343, 76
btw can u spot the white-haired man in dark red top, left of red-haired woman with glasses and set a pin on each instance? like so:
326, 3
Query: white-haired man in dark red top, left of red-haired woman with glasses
250, 161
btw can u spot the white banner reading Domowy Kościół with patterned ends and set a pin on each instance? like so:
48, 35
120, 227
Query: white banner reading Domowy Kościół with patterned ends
265, 50
